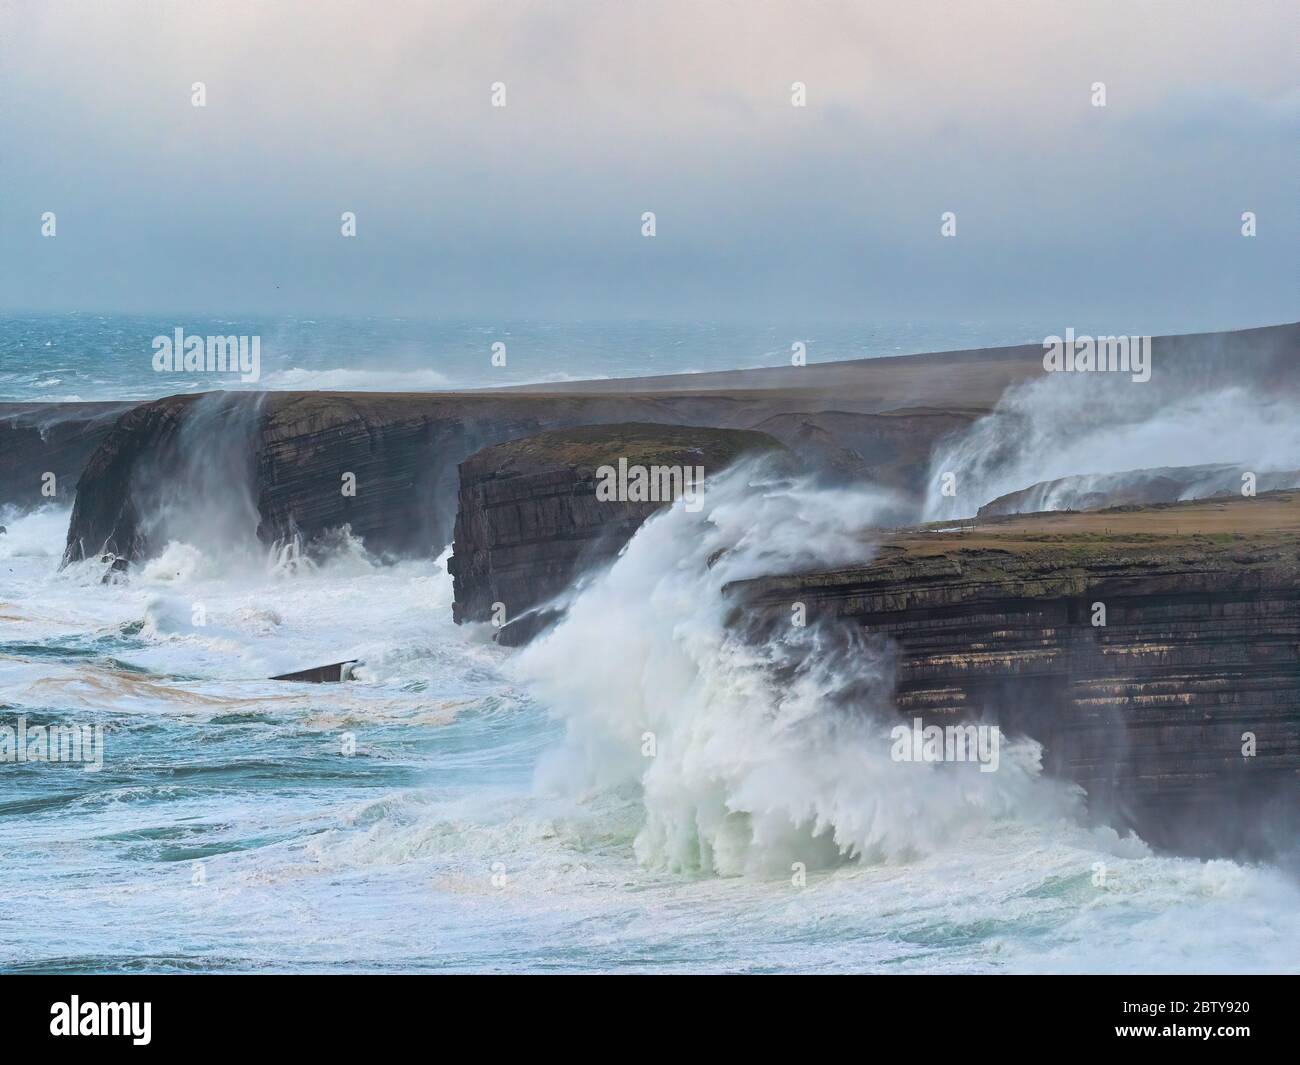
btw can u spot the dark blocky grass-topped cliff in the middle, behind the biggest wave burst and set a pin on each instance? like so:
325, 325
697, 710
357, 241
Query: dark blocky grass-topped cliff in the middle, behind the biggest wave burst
531, 517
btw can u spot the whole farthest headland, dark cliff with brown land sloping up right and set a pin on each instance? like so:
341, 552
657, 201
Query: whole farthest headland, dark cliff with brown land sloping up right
278, 461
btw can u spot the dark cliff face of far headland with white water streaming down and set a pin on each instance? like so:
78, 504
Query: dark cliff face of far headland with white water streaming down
285, 457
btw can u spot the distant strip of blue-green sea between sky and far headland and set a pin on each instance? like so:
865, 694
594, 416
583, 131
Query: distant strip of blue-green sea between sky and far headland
110, 357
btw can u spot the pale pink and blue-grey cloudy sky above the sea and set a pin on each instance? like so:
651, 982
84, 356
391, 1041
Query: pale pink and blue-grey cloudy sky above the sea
1126, 214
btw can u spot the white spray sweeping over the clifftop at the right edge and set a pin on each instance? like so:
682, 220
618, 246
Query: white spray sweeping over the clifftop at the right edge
1069, 425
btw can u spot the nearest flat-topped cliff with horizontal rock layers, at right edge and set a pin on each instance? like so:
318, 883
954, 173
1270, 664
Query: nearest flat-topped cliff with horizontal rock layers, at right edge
1150, 712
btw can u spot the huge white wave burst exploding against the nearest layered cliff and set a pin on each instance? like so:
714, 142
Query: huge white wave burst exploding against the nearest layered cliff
764, 754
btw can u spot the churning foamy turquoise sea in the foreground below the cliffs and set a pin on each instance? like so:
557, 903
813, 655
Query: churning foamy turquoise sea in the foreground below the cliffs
229, 830
